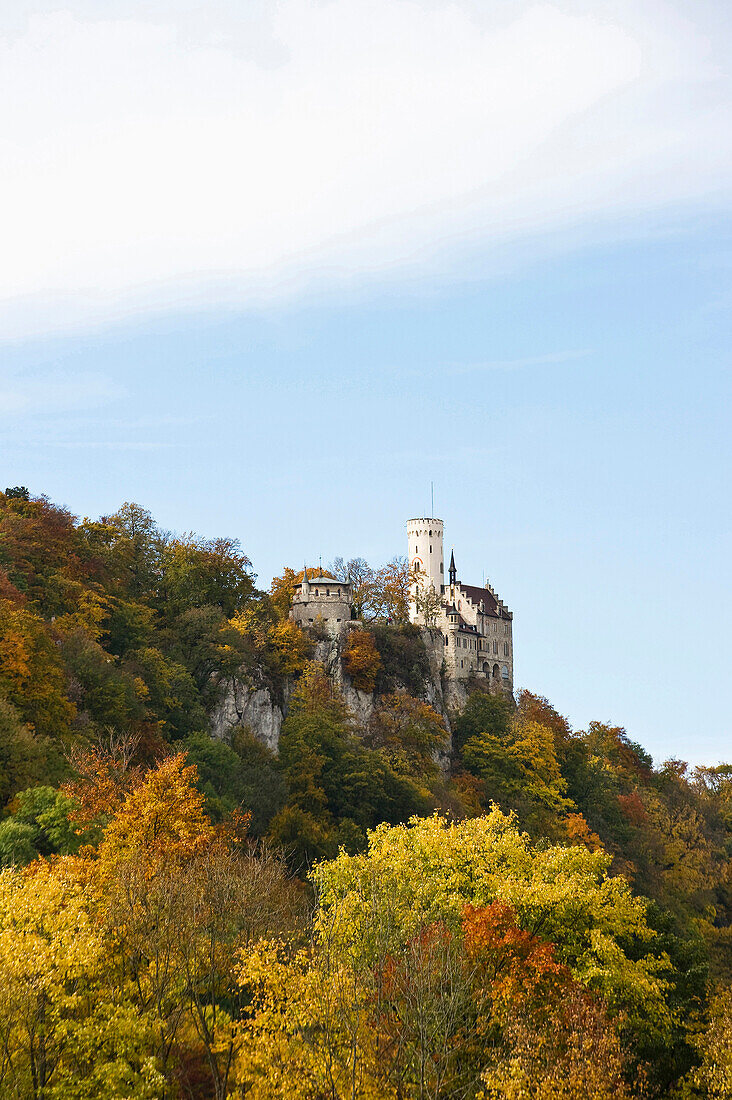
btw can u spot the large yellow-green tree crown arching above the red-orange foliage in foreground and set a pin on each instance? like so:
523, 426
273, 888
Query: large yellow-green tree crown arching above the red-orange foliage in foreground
431, 870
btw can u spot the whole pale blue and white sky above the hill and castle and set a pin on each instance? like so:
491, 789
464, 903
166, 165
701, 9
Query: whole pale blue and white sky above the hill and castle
270, 270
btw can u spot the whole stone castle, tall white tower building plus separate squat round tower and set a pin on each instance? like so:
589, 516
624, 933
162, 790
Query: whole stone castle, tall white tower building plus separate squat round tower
476, 626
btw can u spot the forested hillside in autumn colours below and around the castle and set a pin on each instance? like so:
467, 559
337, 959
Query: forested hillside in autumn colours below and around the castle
461, 905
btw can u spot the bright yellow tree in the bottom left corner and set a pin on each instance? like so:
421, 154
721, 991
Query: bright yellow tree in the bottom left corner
67, 1029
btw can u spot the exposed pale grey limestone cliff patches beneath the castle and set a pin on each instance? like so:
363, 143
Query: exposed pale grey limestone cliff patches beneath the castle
250, 706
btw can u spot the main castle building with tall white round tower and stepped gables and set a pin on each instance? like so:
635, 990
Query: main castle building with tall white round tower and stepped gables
476, 626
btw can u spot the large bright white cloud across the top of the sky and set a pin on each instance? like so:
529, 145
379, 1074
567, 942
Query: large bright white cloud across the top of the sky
169, 156
